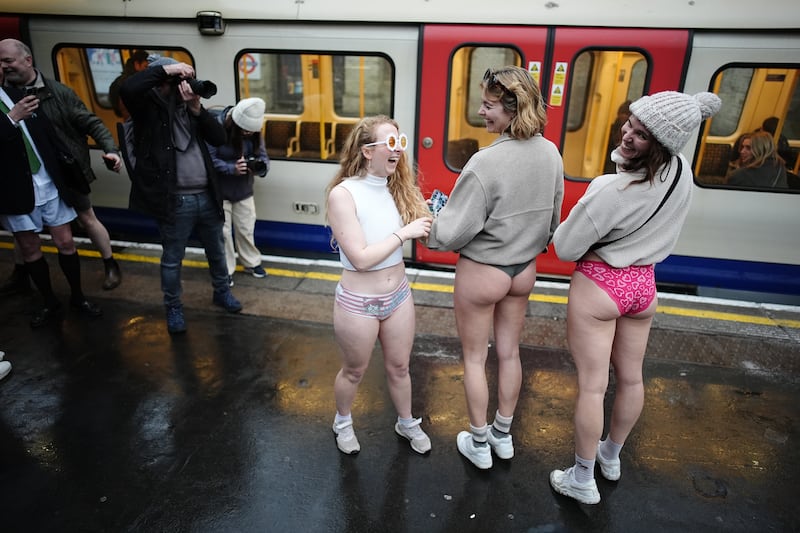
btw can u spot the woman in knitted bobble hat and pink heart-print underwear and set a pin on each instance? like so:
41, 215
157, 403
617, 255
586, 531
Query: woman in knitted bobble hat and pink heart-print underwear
624, 224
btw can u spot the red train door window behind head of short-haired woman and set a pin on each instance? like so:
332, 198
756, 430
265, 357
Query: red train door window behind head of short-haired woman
466, 130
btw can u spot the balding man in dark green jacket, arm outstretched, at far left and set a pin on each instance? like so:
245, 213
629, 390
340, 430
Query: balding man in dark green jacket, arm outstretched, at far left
74, 123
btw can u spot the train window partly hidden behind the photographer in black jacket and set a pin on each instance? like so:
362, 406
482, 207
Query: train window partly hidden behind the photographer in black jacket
90, 71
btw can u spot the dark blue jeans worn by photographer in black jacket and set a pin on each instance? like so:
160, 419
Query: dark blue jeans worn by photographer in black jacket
193, 212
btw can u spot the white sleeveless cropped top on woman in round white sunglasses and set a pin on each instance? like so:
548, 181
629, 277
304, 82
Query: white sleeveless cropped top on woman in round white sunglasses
377, 214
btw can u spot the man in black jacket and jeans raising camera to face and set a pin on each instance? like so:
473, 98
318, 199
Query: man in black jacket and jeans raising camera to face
174, 180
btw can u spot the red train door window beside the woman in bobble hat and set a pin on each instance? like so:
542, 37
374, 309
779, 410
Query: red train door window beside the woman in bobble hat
602, 84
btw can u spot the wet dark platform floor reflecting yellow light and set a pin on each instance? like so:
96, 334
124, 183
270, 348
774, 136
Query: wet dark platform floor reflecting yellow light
112, 425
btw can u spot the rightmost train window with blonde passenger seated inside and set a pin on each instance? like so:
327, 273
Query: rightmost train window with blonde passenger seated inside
755, 98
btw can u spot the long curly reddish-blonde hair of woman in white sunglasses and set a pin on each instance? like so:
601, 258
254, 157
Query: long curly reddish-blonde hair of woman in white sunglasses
402, 183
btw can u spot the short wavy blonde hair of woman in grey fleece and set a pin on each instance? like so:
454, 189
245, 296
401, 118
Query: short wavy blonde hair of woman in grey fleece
519, 95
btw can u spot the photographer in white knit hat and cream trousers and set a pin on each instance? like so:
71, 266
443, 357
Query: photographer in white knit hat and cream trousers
237, 161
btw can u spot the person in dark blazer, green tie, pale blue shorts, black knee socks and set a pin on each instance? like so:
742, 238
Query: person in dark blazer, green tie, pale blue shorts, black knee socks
31, 199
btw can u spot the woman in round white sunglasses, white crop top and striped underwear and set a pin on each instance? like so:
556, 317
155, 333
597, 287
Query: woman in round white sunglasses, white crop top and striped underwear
373, 207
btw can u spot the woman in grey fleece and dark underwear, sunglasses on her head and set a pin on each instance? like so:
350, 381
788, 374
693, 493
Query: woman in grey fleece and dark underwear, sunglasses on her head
501, 214
